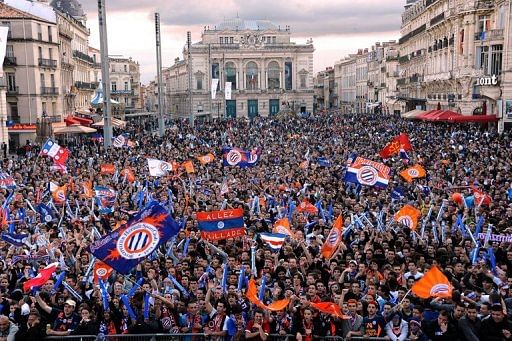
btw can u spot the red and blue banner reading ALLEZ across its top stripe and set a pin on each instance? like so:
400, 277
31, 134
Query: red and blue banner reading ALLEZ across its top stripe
217, 225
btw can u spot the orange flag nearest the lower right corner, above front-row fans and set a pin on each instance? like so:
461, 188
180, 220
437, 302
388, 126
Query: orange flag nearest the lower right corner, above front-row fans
433, 284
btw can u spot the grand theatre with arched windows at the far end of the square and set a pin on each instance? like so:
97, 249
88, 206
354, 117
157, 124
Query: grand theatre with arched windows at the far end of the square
267, 72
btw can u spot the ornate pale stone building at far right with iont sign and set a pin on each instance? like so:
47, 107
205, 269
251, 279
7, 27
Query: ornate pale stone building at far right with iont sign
455, 54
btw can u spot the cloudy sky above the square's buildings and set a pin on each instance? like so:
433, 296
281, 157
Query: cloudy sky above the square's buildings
338, 27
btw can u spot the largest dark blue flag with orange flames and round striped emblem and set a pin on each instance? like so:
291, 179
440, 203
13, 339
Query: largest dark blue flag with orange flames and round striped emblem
133, 242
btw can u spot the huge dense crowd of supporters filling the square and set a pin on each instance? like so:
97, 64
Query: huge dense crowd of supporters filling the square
369, 276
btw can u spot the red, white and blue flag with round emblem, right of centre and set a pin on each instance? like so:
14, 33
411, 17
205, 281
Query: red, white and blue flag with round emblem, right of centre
368, 173
